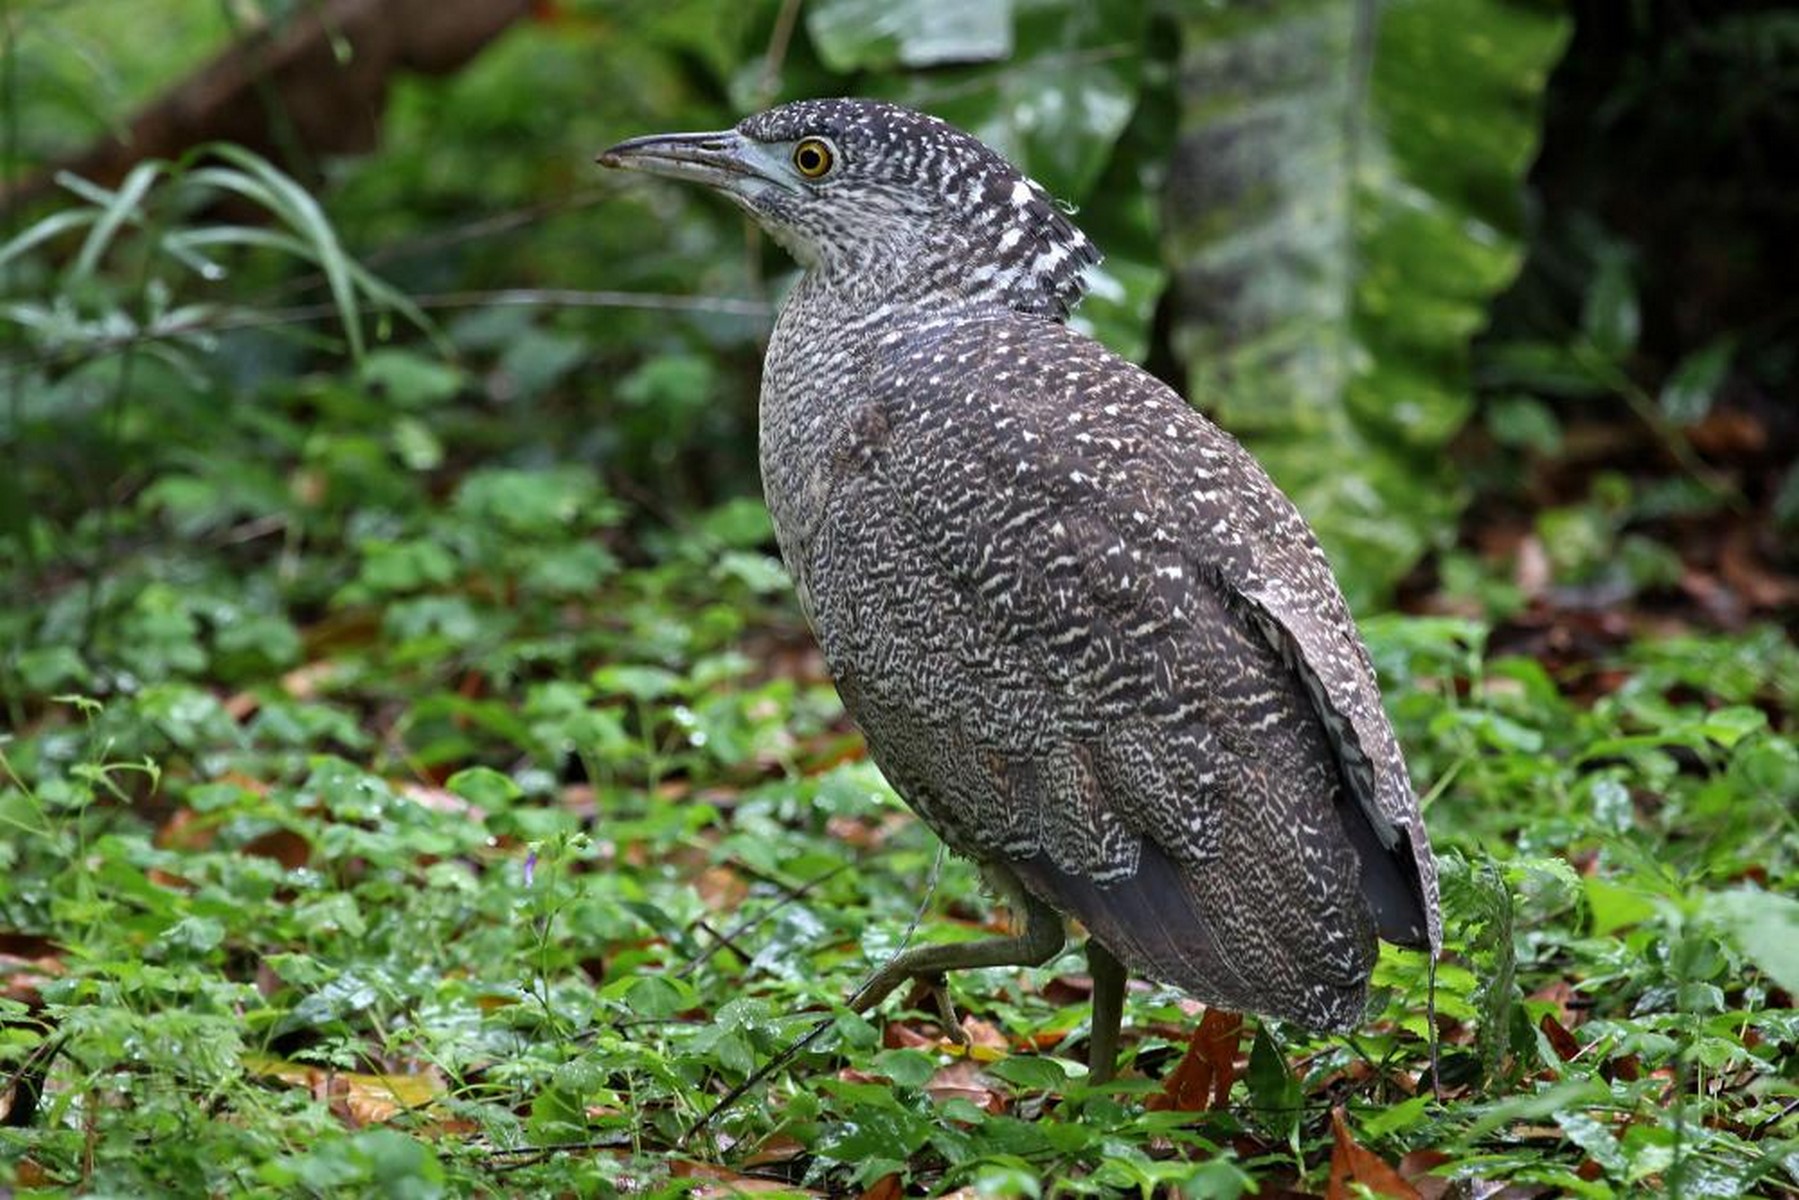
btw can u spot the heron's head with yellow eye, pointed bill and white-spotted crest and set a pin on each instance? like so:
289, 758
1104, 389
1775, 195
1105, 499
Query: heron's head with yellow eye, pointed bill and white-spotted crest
882, 201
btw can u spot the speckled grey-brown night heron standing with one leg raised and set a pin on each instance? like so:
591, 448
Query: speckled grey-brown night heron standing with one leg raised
1086, 636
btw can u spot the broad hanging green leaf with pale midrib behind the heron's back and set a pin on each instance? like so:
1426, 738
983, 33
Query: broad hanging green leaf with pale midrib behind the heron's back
1343, 204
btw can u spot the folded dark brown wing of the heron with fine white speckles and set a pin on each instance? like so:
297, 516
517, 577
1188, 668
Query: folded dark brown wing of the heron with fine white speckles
1109, 652
